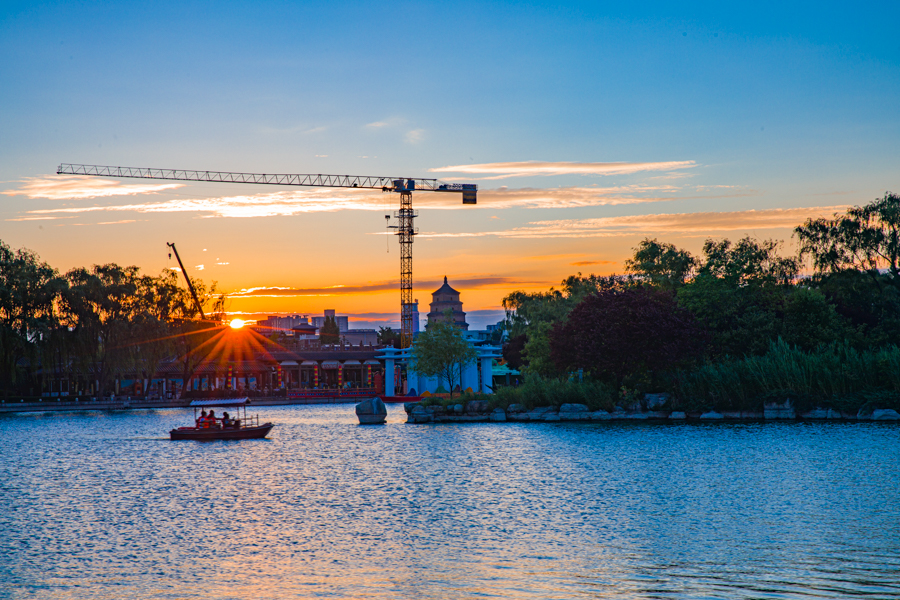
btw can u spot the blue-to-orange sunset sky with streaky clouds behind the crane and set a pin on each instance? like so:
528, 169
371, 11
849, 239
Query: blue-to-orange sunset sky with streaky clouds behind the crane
587, 127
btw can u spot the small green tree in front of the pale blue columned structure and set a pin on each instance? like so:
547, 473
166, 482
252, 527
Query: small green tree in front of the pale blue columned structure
441, 351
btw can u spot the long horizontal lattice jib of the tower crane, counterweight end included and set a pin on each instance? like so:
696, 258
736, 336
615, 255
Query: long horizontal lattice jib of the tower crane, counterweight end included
385, 184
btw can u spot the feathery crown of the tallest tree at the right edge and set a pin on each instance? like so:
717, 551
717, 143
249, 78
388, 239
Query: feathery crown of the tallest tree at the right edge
865, 238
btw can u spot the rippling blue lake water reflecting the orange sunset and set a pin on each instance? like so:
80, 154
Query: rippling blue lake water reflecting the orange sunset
103, 505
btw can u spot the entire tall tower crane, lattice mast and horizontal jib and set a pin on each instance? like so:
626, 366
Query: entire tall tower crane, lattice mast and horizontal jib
401, 185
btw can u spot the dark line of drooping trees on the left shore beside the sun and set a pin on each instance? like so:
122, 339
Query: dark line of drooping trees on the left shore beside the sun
92, 325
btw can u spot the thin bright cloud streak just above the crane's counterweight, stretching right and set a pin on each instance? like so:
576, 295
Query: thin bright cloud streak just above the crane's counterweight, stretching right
505, 170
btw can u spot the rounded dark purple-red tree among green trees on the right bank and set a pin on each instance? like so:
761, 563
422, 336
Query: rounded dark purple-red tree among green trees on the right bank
627, 333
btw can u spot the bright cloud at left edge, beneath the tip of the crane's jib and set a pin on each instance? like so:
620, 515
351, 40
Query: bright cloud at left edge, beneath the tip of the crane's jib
78, 187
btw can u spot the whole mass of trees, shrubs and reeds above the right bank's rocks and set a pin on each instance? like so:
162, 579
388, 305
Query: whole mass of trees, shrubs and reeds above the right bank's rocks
738, 326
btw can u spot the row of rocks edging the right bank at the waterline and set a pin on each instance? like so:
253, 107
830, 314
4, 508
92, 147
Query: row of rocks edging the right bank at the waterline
480, 411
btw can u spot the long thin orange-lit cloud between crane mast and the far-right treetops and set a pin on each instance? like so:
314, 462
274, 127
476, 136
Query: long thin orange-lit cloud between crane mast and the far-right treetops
702, 223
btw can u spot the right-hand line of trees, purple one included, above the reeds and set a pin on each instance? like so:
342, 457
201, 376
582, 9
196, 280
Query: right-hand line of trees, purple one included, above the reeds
671, 309
